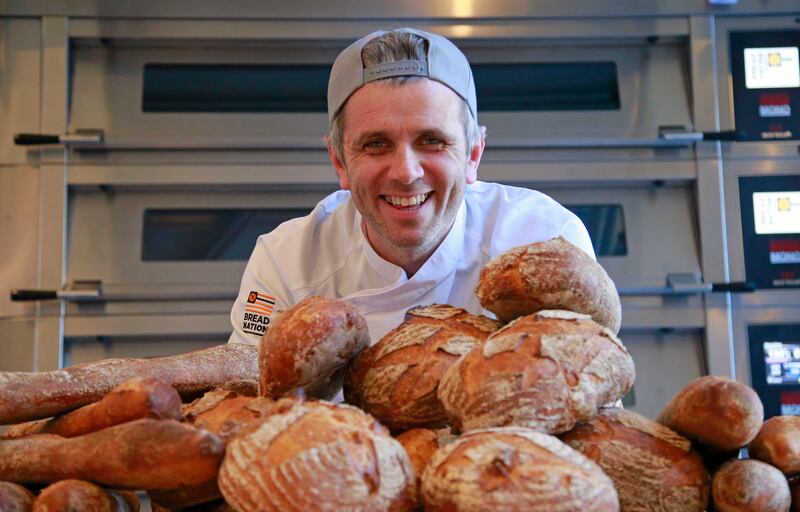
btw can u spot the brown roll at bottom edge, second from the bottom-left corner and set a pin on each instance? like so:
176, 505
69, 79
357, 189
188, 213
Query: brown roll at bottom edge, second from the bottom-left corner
81, 496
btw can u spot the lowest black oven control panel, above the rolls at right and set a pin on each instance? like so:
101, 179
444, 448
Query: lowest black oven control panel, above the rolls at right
775, 367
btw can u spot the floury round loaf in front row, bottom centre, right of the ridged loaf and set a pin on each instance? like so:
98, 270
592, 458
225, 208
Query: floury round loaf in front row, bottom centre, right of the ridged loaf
514, 469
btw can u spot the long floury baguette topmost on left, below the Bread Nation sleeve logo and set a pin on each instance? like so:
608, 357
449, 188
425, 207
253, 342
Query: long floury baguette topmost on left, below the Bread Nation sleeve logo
26, 396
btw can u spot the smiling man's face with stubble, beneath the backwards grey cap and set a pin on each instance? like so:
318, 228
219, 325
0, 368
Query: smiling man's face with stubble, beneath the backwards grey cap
406, 164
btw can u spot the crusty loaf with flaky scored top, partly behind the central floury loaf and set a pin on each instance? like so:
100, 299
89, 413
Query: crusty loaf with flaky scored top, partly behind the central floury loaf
396, 379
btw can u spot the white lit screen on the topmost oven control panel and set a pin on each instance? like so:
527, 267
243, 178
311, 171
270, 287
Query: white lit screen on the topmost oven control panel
771, 68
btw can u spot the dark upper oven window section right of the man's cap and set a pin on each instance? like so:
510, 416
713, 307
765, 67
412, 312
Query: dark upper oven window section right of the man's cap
541, 86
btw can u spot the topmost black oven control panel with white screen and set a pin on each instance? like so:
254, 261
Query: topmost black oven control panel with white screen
765, 69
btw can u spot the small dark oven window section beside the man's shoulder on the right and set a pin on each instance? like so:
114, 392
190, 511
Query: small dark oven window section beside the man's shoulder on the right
606, 226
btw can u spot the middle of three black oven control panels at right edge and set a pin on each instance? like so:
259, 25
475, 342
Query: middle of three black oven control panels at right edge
770, 207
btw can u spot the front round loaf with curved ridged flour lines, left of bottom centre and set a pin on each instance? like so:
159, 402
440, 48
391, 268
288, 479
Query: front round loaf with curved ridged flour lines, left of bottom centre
317, 456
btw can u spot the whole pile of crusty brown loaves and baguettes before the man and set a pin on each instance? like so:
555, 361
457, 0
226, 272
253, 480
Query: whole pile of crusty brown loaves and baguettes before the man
448, 411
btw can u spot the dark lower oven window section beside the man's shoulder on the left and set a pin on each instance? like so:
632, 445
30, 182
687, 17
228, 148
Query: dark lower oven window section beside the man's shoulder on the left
208, 234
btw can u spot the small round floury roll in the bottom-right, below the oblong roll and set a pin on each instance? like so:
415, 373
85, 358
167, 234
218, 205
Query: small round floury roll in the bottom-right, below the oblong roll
747, 485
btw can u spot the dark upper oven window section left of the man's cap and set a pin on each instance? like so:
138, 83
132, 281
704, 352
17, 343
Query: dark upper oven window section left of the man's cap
235, 88
